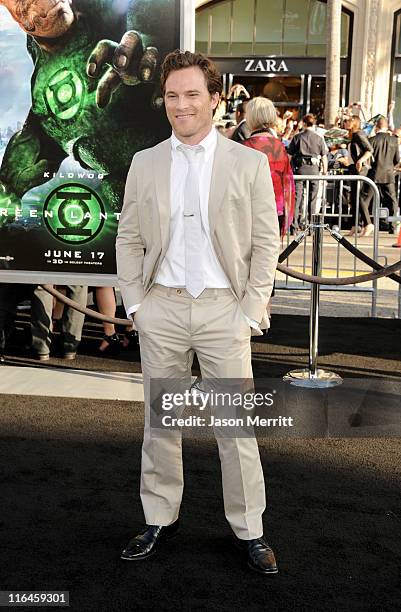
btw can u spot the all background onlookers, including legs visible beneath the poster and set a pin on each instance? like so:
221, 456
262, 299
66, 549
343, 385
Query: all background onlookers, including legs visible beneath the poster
292, 147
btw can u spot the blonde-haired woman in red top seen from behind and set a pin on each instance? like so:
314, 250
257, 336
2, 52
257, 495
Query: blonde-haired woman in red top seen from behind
261, 118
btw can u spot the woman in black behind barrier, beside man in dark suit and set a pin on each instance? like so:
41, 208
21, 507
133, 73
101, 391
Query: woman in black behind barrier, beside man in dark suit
361, 151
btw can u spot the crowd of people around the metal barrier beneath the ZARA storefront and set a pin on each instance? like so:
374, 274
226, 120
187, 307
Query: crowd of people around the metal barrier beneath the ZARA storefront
354, 147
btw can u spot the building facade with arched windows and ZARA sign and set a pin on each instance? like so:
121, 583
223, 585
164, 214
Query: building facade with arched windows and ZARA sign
279, 50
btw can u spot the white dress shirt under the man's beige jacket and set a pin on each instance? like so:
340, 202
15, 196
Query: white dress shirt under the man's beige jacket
172, 268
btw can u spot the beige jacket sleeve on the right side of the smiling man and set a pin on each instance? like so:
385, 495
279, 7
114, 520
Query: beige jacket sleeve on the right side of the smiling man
265, 244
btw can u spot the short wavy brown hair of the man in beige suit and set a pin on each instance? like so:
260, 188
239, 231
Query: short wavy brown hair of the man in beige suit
177, 60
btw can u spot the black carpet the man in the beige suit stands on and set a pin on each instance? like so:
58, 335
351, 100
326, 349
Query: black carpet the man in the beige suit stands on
70, 498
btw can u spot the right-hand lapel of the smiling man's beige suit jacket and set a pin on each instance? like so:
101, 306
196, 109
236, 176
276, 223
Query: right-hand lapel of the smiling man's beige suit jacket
224, 163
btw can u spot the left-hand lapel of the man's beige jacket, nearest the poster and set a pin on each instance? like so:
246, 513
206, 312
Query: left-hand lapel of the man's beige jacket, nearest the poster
161, 173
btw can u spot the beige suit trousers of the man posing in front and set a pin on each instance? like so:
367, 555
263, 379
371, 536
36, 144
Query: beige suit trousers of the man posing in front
172, 326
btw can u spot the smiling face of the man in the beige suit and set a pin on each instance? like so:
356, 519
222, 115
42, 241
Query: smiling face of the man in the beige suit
189, 105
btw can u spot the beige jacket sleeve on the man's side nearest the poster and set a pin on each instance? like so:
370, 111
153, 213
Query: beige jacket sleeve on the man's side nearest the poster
129, 245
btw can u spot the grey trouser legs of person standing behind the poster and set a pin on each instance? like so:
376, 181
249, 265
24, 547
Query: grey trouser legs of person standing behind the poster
71, 323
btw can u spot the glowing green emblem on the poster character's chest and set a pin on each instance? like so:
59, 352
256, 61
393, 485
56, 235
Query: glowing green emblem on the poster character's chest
64, 94
